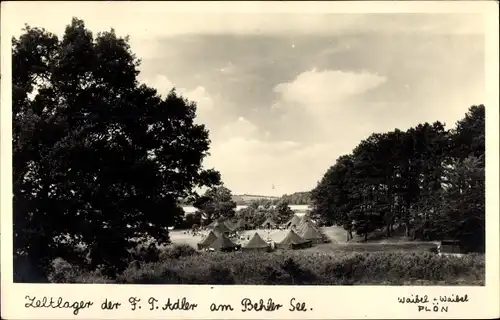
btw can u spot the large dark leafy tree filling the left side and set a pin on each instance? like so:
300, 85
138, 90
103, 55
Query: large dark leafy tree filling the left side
99, 160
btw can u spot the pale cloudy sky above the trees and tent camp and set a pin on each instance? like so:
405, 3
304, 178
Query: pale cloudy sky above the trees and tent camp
285, 94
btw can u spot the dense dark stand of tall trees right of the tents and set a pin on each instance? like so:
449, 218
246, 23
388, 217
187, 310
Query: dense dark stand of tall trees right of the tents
429, 180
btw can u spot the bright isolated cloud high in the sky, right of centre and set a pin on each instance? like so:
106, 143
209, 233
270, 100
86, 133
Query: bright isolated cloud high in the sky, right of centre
315, 100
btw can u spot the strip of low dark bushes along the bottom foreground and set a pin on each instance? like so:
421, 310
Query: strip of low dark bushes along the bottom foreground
182, 264
